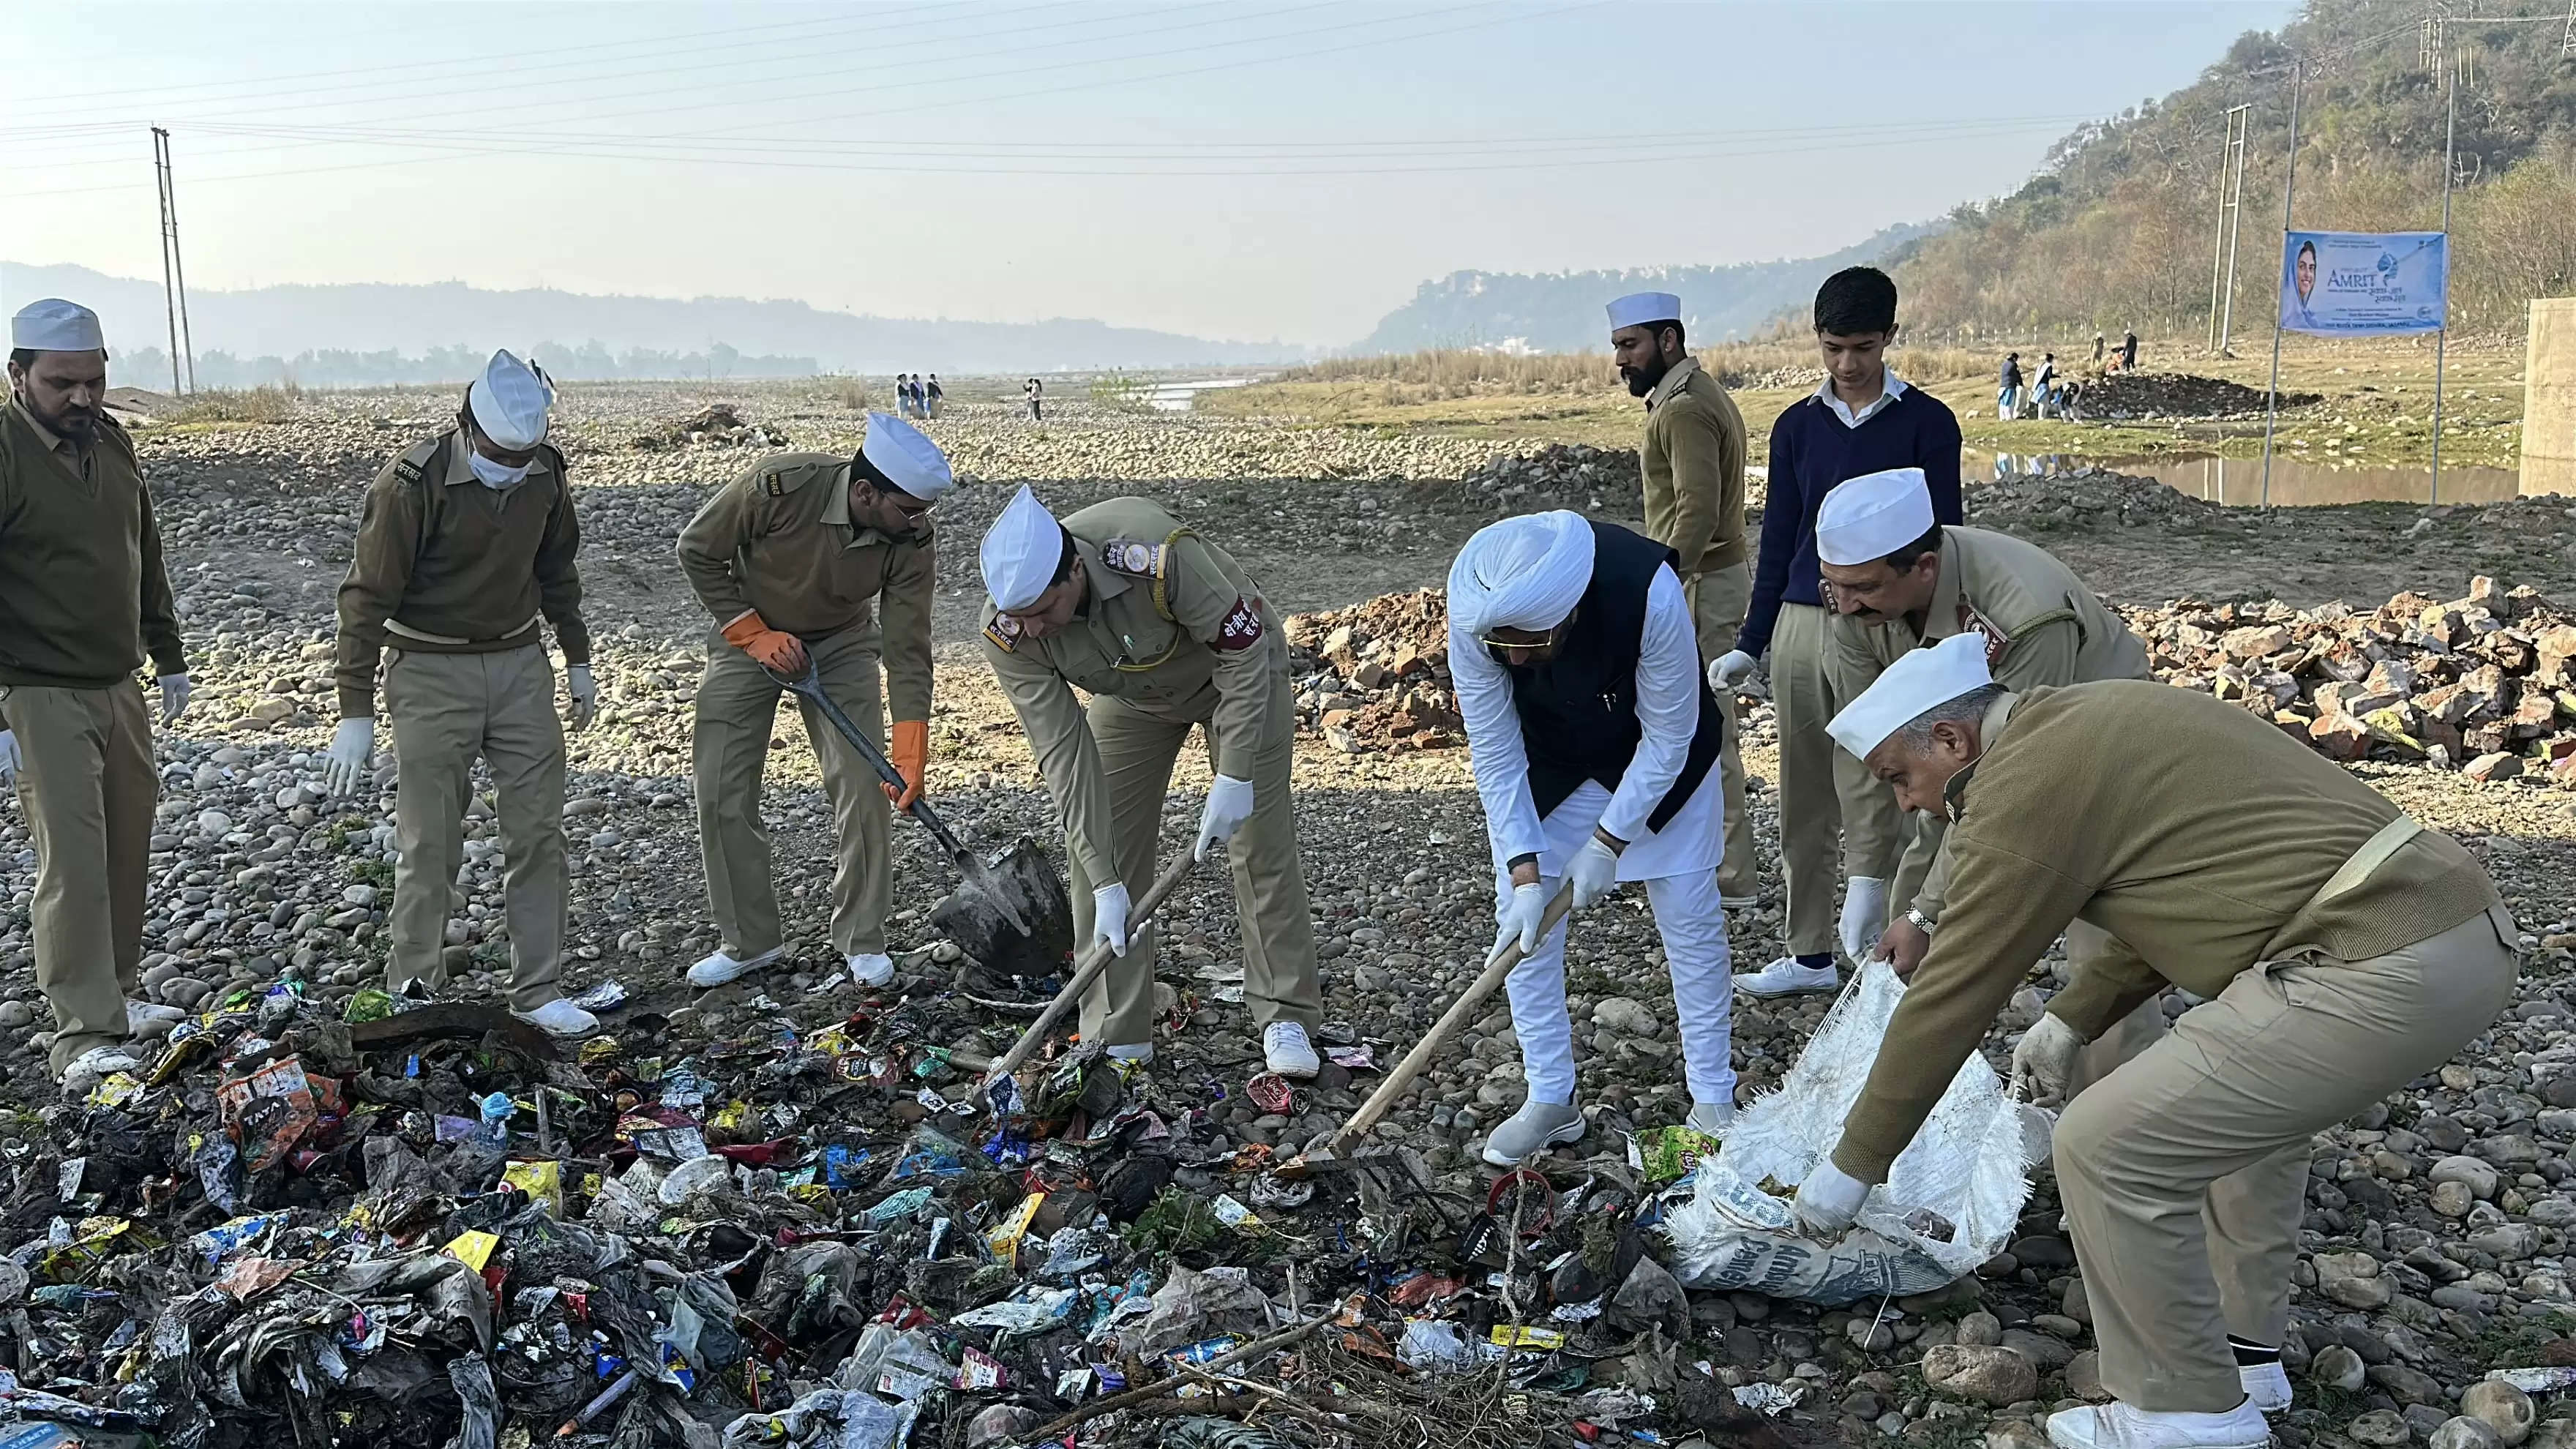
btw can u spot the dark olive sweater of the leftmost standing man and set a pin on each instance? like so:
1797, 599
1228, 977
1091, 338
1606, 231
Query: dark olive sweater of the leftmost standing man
84, 592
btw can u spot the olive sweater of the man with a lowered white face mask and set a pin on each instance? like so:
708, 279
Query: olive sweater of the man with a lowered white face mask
455, 569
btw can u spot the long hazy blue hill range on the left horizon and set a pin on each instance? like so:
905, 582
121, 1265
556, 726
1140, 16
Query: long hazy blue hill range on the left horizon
359, 334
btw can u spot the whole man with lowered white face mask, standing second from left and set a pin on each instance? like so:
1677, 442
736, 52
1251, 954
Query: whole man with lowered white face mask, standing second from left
465, 545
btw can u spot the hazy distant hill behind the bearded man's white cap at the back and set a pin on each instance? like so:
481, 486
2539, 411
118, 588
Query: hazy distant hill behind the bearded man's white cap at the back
1562, 313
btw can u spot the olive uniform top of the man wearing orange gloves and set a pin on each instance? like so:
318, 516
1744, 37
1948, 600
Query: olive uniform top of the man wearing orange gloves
779, 540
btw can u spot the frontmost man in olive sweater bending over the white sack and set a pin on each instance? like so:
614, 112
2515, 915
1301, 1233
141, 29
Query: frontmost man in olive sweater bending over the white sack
2338, 948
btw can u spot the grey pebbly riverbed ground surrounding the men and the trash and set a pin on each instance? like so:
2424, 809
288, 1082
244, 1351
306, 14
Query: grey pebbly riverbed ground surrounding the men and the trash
2438, 1239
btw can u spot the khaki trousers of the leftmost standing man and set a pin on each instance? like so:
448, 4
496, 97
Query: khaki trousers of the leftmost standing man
86, 788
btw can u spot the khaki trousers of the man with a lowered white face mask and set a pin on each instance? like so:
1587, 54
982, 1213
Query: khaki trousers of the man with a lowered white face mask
447, 713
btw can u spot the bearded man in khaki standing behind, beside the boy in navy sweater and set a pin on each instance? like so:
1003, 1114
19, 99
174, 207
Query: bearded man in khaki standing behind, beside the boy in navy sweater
1694, 473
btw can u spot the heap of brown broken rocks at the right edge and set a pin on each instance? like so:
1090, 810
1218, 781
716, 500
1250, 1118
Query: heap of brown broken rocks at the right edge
2485, 685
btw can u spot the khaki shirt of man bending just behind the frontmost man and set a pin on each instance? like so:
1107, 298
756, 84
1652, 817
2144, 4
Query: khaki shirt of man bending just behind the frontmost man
2041, 628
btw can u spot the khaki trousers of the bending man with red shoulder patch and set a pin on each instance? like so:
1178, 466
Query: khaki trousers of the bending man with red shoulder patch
1137, 754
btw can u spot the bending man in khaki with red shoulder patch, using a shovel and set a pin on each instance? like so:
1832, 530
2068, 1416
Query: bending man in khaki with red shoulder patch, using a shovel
1163, 630
